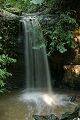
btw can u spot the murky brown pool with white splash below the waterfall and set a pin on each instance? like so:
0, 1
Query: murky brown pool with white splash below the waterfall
22, 105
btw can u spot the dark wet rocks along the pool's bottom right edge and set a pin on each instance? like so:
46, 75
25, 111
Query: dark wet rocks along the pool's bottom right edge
66, 116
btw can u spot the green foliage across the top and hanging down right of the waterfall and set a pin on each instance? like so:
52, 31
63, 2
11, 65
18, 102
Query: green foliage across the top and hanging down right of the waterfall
60, 35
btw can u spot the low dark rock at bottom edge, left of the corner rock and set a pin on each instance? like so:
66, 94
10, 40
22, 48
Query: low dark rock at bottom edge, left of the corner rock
46, 117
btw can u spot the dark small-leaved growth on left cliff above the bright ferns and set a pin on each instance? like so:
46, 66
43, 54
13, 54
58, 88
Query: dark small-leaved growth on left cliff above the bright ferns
9, 33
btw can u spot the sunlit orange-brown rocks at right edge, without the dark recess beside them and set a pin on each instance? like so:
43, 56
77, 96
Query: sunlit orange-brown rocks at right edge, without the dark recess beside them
72, 69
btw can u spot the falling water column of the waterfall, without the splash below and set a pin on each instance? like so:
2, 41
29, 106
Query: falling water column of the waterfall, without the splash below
36, 63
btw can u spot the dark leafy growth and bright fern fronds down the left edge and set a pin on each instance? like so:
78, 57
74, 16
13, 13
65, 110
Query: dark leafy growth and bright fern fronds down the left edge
8, 48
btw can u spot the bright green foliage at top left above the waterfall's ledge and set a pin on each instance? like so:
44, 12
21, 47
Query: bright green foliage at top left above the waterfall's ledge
20, 5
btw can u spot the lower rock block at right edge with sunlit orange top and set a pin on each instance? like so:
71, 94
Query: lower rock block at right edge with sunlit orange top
72, 76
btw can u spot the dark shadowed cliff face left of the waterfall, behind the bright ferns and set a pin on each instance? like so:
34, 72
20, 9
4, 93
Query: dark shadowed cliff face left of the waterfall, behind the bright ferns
9, 31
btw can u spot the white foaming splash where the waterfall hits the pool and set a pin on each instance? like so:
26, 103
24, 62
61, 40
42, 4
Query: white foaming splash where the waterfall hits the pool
43, 99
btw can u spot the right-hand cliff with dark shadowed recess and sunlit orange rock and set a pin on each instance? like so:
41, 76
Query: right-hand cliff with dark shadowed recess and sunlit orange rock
65, 67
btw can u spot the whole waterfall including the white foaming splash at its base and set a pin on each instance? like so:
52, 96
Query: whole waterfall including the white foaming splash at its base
38, 95
